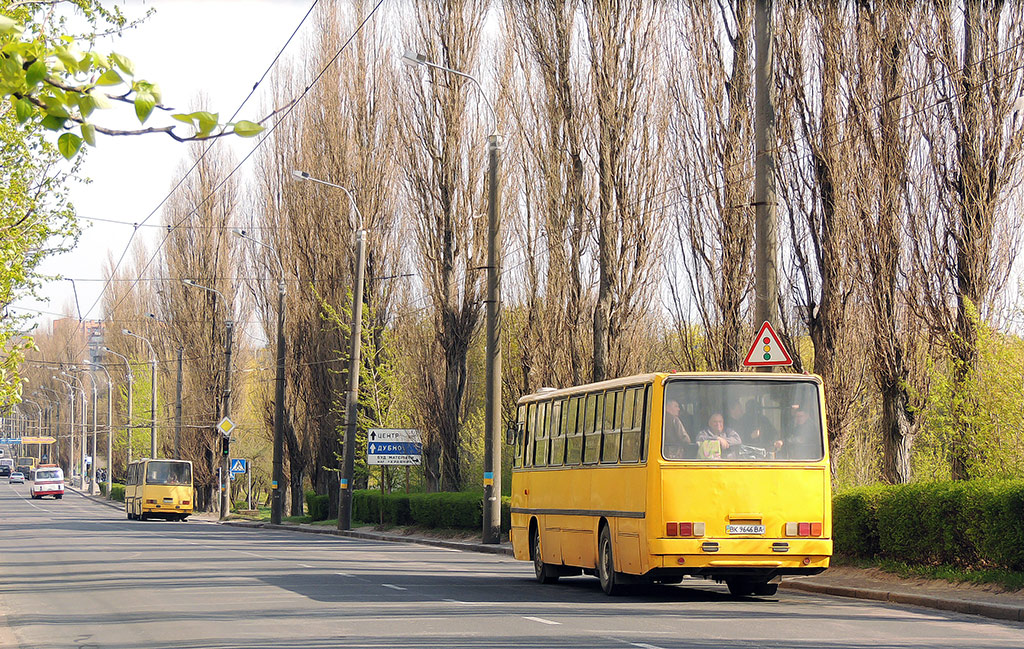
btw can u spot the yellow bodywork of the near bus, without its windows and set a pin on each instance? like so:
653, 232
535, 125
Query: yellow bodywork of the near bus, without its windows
569, 506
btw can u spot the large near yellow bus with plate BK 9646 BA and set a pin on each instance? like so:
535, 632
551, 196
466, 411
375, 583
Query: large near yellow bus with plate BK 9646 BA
656, 478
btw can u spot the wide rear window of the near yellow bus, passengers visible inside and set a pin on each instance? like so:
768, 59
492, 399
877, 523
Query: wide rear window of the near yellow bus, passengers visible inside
747, 420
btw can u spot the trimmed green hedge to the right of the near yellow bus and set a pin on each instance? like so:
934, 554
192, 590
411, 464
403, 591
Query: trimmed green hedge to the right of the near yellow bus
971, 524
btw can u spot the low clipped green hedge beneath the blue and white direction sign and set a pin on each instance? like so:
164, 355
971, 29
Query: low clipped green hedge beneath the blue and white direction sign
462, 510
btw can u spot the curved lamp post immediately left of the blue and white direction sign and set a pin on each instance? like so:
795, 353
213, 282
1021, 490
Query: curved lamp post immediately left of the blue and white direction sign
353, 397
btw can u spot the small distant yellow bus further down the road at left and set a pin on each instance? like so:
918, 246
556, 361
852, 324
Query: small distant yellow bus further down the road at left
159, 489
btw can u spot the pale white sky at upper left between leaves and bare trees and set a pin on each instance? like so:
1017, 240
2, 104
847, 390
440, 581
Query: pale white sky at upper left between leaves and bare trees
215, 49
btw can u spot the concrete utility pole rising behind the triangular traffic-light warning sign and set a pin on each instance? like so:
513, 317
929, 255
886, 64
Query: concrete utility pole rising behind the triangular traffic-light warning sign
766, 245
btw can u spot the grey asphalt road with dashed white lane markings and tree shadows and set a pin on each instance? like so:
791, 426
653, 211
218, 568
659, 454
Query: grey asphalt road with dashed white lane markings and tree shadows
76, 575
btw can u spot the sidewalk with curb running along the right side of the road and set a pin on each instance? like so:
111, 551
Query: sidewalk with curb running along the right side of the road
841, 582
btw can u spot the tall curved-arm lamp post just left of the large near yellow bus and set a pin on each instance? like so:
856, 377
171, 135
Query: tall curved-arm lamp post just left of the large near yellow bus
493, 397
